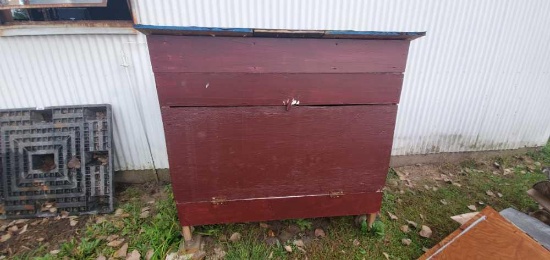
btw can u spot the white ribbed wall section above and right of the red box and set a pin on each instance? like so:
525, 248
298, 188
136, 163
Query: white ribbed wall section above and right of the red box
478, 81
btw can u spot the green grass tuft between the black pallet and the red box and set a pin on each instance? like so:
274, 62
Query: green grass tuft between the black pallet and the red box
159, 232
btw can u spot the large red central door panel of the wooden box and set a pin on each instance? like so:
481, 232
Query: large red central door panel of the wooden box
260, 152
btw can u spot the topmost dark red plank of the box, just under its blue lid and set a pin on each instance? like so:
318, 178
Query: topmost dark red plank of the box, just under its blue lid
275, 55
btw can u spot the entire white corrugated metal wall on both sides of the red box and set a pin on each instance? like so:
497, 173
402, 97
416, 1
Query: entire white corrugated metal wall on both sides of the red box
479, 80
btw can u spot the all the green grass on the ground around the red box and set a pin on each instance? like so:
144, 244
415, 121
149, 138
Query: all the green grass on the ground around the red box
161, 231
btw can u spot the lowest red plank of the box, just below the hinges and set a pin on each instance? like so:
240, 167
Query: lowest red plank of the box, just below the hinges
203, 213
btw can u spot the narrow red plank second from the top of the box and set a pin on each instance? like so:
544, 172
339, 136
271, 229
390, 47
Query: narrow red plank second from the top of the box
246, 89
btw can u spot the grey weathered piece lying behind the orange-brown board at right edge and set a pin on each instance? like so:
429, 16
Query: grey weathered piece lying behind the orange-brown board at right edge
532, 226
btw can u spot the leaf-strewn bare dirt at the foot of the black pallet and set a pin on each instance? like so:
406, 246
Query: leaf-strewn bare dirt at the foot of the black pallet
47, 233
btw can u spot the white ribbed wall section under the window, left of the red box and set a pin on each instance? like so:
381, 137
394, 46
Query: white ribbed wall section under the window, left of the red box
41, 71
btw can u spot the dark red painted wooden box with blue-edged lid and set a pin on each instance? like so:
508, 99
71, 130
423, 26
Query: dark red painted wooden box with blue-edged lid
263, 125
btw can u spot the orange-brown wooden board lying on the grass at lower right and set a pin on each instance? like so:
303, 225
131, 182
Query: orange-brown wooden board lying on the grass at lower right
492, 238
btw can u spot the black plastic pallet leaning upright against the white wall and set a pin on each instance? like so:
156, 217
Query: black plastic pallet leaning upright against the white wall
56, 159
